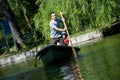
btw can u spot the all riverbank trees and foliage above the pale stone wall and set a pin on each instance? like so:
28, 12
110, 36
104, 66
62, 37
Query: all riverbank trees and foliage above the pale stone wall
33, 16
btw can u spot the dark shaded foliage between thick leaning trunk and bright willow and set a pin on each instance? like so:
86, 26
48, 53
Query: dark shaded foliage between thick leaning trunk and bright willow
25, 9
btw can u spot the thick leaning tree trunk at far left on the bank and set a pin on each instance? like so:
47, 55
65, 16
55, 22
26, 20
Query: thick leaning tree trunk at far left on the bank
6, 11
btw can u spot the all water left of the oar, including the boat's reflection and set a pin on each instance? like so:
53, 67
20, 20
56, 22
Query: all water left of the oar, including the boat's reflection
27, 71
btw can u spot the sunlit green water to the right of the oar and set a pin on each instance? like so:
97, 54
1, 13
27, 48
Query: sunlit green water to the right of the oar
101, 60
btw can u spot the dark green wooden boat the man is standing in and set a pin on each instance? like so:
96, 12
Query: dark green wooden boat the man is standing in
52, 54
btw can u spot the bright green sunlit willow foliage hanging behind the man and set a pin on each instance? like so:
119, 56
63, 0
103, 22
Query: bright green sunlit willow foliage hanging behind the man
80, 14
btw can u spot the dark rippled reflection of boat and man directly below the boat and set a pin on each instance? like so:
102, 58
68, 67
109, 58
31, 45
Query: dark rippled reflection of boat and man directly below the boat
63, 71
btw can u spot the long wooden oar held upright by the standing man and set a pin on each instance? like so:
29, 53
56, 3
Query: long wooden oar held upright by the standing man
73, 49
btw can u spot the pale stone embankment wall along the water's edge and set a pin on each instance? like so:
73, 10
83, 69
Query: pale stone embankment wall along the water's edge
76, 41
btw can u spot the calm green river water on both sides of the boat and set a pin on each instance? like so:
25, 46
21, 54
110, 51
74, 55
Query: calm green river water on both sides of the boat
98, 61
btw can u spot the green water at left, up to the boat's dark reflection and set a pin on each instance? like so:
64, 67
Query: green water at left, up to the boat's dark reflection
23, 70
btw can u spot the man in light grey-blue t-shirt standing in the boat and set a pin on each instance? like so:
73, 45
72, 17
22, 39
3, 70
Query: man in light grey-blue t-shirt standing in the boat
55, 30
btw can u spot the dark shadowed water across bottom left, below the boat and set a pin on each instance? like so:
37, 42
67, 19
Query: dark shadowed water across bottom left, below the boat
66, 70
